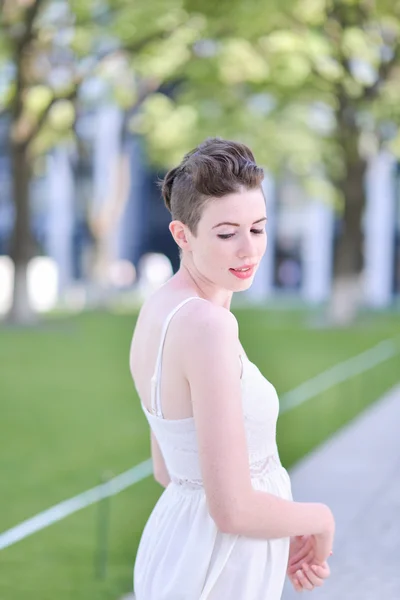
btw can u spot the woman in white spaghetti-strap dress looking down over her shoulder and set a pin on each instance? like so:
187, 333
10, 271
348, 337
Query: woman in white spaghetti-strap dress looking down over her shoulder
222, 527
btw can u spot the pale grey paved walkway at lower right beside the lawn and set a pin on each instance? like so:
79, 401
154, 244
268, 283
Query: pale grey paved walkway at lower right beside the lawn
357, 473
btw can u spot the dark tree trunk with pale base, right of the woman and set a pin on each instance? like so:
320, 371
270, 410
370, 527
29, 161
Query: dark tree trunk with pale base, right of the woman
349, 260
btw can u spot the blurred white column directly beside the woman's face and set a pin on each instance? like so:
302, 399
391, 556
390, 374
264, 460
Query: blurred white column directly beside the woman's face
263, 280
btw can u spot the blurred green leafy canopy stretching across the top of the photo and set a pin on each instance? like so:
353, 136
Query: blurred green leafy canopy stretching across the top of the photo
277, 76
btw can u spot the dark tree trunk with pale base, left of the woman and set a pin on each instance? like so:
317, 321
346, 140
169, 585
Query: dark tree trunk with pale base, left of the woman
21, 311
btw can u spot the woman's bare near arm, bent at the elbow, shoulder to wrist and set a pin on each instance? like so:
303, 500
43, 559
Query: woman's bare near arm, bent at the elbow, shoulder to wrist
212, 369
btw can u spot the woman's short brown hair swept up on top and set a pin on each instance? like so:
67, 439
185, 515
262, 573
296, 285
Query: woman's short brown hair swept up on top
215, 168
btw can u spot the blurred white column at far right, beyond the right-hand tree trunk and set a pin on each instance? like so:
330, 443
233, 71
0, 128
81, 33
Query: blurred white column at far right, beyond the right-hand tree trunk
379, 230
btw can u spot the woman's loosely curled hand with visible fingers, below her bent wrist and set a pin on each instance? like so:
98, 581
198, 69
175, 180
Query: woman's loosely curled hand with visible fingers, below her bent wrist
303, 570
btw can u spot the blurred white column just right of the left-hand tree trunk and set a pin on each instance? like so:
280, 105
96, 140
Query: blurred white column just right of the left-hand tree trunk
60, 219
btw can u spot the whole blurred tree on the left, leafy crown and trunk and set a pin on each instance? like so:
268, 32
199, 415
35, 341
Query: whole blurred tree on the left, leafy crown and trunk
53, 55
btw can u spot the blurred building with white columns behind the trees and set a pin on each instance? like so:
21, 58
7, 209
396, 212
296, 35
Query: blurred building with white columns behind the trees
103, 200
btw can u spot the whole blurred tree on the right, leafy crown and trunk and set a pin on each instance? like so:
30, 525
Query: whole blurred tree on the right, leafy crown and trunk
312, 85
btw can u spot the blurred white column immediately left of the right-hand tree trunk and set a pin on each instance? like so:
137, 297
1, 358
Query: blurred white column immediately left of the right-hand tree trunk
317, 249
